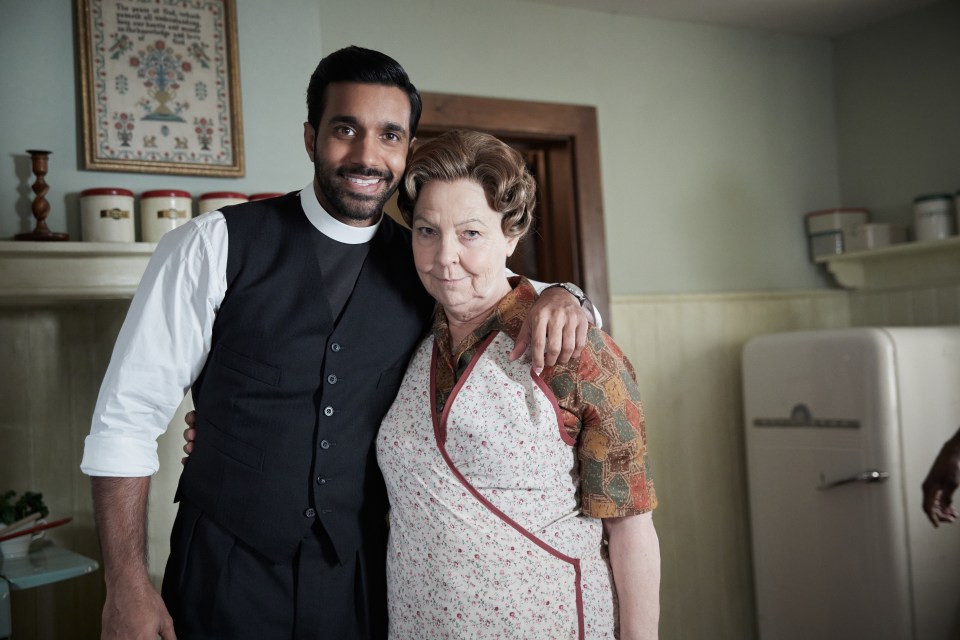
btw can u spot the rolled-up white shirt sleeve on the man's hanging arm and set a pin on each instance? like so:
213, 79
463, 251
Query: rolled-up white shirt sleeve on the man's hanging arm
161, 349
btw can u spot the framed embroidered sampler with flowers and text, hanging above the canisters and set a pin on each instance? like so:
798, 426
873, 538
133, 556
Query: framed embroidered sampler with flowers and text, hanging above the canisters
160, 86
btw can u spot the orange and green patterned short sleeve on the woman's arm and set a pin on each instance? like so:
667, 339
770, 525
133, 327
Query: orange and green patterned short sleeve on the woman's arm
615, 479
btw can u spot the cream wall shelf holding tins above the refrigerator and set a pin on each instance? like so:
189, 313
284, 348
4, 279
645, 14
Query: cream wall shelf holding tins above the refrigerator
909, 264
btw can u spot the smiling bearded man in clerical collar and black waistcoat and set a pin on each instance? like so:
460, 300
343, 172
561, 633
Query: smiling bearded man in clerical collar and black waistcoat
294, 337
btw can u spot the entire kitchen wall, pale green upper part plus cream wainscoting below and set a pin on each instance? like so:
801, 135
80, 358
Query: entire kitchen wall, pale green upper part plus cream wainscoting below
713, 142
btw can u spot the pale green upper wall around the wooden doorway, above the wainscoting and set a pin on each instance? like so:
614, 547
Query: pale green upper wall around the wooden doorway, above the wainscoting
713, 141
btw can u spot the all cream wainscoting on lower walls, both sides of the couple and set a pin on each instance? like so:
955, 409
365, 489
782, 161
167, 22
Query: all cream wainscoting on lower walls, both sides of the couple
687, 353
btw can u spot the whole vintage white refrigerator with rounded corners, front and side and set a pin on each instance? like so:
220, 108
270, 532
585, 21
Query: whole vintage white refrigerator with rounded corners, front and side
841, 428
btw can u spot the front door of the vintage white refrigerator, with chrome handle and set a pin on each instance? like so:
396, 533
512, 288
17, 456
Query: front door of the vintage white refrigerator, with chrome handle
826, 488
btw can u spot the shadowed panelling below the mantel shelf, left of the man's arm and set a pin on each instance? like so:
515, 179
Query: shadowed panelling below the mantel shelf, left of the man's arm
53, 359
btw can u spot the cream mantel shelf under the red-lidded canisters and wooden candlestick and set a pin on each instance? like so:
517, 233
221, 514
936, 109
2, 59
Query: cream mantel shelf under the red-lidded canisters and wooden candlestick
33, 272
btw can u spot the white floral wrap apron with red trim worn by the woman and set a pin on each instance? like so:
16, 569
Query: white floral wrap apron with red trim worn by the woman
486, 537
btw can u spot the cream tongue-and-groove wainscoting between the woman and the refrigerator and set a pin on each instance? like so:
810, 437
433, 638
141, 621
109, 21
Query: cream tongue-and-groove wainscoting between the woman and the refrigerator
686, 351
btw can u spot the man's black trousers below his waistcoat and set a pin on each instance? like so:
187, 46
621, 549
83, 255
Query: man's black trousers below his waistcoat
216, 587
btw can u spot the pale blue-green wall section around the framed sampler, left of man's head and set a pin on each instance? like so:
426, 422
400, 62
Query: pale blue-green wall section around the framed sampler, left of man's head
38, 108
